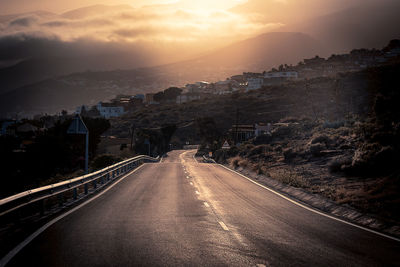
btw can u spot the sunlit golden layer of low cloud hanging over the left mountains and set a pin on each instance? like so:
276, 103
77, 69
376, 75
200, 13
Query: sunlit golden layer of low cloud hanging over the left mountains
173, 34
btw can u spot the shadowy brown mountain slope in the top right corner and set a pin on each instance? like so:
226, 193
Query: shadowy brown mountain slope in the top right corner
368, 25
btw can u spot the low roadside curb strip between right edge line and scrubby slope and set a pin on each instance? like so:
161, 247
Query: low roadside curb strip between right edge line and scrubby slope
322, 204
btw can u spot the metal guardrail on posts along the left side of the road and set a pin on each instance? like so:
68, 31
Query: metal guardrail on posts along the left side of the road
39, 195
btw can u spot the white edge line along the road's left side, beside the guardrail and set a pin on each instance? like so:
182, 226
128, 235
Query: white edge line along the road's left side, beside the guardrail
29, 239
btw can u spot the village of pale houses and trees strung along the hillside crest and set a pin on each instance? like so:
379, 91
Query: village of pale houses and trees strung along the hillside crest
356, 60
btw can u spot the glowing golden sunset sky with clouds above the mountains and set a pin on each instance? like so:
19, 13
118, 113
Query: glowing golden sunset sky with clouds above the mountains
171, 30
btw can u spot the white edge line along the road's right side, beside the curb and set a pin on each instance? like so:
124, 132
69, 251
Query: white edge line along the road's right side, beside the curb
313, 210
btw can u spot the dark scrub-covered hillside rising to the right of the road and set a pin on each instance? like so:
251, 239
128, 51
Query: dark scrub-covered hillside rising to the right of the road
333, 137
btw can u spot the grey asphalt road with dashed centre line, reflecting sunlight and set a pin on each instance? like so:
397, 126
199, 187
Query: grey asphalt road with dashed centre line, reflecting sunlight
180, 212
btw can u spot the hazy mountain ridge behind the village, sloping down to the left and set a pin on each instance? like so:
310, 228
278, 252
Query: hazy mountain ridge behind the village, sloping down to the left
255, 54
